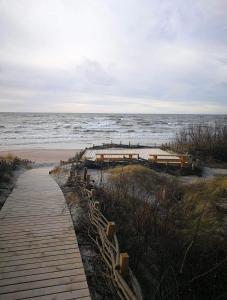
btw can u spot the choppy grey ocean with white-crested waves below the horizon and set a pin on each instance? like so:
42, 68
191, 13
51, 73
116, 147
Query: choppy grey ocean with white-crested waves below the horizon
76, 131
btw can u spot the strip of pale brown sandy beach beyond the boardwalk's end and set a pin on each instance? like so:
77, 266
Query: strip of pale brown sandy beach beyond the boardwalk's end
42, 155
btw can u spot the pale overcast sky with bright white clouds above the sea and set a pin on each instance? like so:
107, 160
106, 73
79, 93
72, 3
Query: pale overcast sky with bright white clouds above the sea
119, 56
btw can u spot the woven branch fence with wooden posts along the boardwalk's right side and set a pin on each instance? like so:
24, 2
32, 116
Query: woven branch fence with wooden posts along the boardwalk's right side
104, 236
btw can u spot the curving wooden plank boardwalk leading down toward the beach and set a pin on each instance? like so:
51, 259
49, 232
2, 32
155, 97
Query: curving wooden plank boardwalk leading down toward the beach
39, 254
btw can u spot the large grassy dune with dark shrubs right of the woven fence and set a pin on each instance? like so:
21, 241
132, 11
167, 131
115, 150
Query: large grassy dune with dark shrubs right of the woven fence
175, 234
